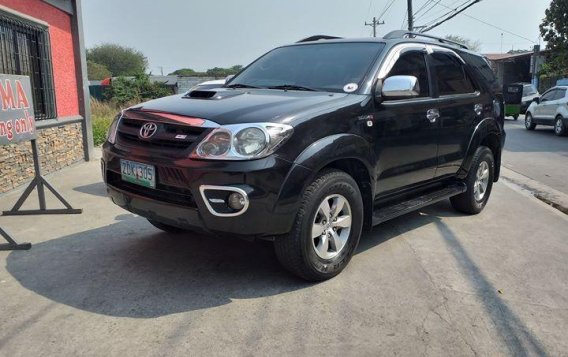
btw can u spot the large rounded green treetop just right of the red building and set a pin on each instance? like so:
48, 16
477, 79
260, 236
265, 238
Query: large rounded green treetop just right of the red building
119, 60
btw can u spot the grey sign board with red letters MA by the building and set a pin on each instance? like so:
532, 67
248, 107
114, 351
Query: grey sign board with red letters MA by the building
17, 121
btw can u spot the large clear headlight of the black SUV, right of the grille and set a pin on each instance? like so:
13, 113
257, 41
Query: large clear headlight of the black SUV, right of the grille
243, 141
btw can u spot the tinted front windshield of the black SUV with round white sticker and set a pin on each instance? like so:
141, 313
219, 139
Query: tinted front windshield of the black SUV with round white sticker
333, 67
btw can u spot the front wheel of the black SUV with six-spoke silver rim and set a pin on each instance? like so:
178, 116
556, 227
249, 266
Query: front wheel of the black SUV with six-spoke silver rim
327, 228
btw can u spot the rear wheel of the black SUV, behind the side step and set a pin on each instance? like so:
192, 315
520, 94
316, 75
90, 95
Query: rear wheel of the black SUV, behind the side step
479, 183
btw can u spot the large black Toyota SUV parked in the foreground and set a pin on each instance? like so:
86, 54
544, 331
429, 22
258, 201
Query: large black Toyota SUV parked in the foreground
312, 143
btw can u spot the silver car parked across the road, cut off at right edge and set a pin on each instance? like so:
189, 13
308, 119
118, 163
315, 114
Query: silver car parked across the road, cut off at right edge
549, 109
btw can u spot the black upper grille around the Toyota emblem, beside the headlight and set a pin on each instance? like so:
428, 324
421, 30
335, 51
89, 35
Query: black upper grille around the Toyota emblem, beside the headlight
168, 135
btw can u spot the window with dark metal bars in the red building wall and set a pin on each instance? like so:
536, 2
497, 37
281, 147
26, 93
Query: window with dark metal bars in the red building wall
25, 50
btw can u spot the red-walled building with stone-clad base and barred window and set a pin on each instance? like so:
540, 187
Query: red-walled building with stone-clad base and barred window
43, 39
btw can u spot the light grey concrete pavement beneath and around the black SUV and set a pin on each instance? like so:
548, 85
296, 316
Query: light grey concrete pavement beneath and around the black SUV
430, 283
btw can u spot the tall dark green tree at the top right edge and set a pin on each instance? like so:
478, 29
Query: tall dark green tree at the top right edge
554, 30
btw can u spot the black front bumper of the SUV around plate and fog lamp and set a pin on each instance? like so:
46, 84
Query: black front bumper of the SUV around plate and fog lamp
178, 201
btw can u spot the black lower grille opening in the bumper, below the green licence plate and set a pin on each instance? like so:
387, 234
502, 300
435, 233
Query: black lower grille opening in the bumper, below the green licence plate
163, 193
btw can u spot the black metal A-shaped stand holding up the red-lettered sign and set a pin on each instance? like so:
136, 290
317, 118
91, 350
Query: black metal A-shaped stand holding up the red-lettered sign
40, 183
